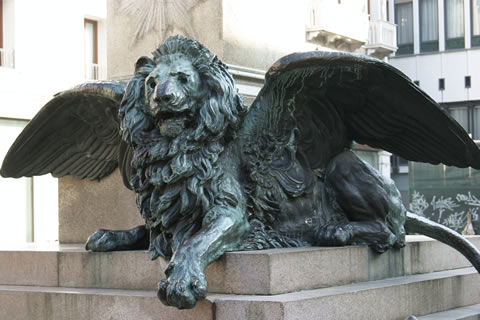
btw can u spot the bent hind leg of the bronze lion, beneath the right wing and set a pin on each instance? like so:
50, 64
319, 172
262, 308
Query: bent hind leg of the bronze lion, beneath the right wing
368, 204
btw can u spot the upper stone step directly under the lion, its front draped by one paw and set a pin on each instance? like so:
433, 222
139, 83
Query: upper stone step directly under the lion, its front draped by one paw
255, 272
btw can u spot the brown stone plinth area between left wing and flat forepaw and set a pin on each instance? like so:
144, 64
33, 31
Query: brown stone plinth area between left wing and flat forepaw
85, 206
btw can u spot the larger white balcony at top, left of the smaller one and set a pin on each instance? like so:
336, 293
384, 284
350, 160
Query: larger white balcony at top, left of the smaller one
338, 26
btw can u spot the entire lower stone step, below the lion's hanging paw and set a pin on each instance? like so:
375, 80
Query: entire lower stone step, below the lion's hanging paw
394, 298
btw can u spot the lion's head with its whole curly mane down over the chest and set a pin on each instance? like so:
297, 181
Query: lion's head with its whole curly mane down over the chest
179, 111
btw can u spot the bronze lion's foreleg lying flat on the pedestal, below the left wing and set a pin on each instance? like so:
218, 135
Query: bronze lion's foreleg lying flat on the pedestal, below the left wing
137, 238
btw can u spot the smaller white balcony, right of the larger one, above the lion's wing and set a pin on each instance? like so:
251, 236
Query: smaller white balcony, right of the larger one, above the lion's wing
382, 39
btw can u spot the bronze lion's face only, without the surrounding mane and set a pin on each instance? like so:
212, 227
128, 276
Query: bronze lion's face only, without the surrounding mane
173, 91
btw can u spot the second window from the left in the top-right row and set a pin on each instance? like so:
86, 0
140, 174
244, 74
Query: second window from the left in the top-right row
428, 25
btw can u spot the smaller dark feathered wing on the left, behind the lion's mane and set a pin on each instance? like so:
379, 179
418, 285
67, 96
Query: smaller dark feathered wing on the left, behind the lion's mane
76, 133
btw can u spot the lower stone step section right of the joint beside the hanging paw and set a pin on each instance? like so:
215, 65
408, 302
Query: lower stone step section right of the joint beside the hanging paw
394, 298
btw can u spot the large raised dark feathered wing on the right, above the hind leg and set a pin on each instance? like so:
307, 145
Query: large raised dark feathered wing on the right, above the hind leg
326, 100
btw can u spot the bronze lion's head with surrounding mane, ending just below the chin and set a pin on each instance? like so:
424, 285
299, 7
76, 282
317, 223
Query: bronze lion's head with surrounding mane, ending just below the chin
185, 91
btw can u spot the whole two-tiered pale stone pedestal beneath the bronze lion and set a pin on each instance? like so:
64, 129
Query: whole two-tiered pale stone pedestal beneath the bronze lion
66, 282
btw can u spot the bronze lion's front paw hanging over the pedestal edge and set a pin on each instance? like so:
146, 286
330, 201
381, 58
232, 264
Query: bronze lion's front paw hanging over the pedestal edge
184, 286
